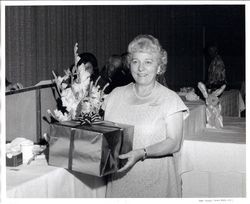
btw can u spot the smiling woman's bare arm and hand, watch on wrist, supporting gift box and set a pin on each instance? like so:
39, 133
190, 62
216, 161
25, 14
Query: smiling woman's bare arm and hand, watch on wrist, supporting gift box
172, 143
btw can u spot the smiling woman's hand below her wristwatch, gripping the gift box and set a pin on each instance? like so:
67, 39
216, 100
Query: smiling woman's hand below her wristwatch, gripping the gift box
132, 157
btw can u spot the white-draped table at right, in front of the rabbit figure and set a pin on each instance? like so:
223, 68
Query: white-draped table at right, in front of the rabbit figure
212, 163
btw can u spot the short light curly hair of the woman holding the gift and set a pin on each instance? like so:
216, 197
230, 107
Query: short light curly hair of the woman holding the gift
148, 43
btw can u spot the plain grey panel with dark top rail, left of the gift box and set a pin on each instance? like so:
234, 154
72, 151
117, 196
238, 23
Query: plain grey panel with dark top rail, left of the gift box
26, 109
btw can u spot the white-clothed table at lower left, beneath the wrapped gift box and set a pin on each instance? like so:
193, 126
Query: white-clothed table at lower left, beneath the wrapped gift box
38, 180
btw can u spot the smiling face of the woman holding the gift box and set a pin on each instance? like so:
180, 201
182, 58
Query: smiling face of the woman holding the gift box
144, 67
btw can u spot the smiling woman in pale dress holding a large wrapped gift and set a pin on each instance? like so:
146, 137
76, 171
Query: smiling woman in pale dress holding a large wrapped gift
157, 115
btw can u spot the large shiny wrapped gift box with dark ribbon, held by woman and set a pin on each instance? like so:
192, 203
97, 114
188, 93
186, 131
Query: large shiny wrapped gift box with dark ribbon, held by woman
90, 149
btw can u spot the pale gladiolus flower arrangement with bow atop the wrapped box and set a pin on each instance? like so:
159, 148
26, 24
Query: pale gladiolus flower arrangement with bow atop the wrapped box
79, 96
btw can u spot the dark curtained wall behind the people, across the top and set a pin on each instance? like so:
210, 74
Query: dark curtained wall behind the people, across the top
40, 39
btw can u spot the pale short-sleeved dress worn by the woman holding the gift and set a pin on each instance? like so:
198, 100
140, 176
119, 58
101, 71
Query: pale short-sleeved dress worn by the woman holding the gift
154, 177
